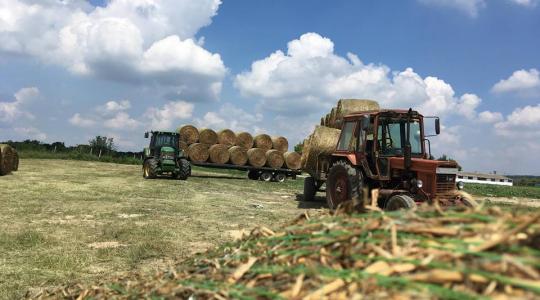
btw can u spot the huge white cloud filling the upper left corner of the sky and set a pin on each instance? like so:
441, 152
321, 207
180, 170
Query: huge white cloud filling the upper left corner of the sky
137, 41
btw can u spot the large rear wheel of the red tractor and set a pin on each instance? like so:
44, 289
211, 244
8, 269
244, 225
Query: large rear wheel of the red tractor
344, 183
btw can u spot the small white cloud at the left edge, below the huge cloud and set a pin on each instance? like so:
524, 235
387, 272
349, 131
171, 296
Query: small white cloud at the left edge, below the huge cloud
11, 111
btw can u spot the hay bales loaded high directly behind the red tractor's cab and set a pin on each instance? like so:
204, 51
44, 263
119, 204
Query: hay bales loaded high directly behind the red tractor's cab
323, 141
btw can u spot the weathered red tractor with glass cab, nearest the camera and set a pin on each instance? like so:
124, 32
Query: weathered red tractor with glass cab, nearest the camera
386, 150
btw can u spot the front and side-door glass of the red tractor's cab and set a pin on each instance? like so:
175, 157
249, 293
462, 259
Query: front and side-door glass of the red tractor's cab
392, 136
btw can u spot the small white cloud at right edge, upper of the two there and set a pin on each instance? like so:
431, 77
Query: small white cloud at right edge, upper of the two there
522, 82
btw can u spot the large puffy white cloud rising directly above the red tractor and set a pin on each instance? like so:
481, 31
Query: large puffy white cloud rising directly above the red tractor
310, 77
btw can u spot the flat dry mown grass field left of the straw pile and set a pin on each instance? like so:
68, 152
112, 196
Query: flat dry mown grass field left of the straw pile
73, 221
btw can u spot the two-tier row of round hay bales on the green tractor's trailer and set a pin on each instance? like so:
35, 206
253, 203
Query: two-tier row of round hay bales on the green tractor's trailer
228, 147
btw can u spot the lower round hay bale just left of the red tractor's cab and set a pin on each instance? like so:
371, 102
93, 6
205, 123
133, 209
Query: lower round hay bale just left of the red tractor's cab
322, 143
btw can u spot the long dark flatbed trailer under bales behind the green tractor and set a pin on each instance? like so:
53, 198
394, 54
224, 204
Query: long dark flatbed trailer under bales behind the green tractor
255, 173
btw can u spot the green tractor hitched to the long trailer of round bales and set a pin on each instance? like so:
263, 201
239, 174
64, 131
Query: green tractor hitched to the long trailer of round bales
163, 156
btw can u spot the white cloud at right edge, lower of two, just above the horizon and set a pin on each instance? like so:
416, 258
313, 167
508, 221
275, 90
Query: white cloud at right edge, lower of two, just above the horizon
522, 122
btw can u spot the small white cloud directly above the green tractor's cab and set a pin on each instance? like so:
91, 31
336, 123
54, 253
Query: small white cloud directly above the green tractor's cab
164, 118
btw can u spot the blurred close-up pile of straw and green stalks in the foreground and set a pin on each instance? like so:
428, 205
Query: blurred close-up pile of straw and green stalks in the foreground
427, 254
